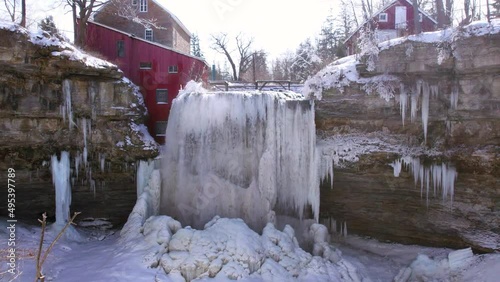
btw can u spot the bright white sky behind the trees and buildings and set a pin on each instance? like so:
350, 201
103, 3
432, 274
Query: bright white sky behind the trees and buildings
275, 25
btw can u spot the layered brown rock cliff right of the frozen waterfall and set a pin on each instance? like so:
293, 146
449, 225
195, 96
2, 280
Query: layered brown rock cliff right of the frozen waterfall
458, 78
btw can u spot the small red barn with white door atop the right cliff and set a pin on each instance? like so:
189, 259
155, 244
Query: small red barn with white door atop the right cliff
392, 21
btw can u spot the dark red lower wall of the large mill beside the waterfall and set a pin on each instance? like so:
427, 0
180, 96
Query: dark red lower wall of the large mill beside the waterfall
104, 40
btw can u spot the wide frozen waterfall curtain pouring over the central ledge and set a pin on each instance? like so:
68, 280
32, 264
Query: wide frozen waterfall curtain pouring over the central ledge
239, 155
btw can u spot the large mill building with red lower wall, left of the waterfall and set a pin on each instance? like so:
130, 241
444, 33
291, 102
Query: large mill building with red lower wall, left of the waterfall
155, 59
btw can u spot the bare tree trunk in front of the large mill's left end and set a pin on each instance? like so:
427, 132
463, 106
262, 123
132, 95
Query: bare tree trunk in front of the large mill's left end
85, 9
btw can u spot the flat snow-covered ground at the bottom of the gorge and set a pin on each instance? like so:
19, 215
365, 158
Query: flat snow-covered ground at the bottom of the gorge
103, 257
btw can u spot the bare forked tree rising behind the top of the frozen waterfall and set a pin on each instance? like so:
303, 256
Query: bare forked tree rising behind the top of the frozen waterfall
220, 43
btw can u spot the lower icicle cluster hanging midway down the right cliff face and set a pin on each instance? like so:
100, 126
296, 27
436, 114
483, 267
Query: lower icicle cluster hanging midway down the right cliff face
441, 175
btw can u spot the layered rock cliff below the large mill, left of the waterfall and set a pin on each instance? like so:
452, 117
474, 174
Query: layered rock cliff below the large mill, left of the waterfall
54, 98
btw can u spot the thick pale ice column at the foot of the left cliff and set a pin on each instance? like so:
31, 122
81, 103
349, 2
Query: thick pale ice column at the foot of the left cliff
60, 178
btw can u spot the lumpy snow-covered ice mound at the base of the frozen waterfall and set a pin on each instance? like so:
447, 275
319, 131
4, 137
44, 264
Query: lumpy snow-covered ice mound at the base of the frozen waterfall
229, 249
